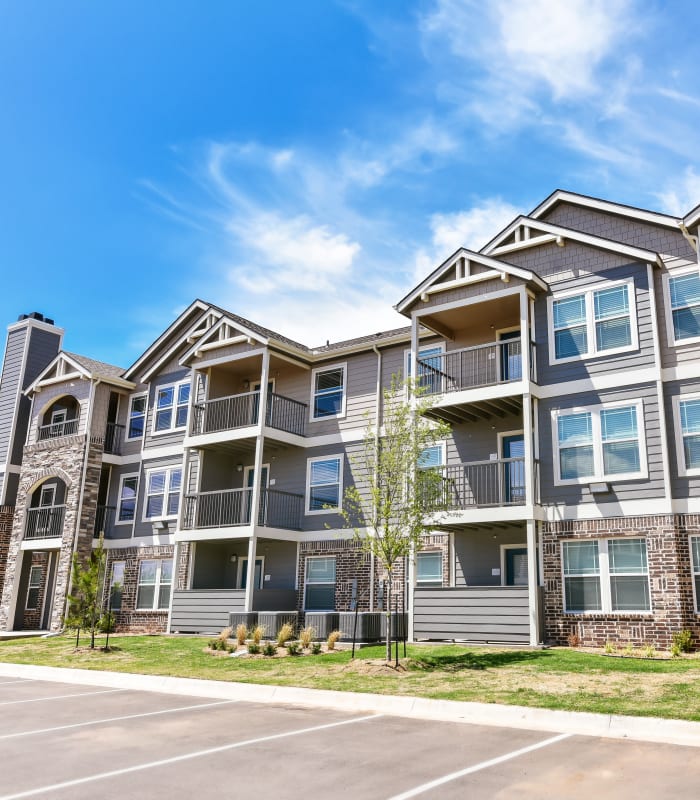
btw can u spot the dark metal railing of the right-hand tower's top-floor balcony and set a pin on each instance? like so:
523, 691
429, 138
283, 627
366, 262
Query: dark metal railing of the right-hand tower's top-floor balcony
471, 367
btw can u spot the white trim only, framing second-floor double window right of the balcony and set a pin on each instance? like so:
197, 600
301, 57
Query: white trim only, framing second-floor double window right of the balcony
599, 475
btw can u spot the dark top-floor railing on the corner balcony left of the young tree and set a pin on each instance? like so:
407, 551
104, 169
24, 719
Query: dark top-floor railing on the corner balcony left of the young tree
243, 410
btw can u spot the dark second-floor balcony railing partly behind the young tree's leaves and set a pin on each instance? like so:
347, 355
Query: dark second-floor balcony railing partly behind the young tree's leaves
479, 484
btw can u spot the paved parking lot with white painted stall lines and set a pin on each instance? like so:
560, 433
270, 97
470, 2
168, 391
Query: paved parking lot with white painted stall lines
81, 741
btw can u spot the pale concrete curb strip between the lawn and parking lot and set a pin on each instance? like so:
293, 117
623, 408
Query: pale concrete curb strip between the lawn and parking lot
646, 729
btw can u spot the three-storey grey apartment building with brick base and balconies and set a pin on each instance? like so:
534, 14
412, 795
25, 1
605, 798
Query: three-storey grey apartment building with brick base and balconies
566, 357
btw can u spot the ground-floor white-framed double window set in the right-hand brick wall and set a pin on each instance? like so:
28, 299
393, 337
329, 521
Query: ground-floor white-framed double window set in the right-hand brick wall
606, 576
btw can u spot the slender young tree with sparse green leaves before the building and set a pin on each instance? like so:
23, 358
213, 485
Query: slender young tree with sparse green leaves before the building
387, 506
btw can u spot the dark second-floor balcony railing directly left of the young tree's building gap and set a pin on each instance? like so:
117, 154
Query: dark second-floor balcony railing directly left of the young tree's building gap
232, 508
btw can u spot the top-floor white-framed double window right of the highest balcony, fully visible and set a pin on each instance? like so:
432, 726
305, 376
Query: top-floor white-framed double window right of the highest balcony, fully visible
593, 322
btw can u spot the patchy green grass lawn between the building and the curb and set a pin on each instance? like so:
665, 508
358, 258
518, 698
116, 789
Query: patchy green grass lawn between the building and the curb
559, 678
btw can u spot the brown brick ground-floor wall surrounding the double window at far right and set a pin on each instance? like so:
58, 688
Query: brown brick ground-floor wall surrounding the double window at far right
670, 582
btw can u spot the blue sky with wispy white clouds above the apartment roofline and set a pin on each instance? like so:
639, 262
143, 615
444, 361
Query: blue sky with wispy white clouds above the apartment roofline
304, 164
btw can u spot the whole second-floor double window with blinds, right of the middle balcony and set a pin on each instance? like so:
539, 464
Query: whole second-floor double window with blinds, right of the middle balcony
599, 443
